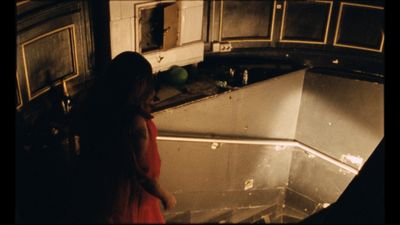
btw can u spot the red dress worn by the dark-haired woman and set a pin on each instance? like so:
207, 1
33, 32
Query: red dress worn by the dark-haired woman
149, 210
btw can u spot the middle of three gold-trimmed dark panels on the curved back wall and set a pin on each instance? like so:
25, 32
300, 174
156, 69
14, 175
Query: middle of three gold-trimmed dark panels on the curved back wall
305, 21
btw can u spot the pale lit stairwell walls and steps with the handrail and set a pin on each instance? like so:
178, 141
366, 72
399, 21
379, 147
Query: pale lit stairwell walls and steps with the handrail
263, 168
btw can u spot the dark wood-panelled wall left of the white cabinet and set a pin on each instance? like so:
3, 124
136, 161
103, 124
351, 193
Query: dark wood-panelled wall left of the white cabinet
56, 47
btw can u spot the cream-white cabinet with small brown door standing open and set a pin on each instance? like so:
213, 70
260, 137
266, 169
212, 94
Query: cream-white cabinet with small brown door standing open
167, 33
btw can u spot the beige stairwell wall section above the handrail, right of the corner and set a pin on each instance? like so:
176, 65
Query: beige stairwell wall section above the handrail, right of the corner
341, 117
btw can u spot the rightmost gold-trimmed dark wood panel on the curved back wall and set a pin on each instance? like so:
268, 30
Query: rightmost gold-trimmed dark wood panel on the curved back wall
360, 26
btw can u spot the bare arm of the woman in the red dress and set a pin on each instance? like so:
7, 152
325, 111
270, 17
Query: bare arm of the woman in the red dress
141, 138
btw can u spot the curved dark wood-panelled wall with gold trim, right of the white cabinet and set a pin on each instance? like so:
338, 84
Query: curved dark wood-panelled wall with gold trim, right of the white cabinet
338, 34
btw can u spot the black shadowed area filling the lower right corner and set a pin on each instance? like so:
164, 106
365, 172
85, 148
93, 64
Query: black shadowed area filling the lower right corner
363, 201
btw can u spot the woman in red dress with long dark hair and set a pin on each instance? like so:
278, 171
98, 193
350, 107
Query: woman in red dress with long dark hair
120, 162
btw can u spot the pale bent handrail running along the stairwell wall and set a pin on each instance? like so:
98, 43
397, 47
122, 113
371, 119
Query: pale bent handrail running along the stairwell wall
288, 143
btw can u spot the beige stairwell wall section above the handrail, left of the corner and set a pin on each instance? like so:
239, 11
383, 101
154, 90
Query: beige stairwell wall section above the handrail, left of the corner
274, 103
